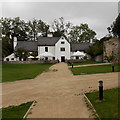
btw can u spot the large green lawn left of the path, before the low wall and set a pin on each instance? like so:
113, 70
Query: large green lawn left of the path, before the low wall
14, 72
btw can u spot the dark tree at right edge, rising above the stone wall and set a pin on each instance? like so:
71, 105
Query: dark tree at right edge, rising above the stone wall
115, 27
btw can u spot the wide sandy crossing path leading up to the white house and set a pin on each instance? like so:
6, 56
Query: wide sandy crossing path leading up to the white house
58, 93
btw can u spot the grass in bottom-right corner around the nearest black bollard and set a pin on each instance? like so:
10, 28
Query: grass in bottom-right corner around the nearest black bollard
107, 108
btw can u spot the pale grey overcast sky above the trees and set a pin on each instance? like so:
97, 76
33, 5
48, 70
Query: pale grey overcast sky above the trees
98, 15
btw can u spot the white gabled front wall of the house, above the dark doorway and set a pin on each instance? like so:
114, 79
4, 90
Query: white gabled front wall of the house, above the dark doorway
59, 53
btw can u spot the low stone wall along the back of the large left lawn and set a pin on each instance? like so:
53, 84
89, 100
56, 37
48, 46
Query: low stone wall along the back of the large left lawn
29, 62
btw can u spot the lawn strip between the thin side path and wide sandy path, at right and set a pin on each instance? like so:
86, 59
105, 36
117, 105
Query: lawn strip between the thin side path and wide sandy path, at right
93, 69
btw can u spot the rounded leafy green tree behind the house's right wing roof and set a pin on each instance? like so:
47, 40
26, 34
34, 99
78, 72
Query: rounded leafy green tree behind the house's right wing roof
81, 33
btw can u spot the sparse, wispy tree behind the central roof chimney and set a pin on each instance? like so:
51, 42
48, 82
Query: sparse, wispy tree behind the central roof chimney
60, 27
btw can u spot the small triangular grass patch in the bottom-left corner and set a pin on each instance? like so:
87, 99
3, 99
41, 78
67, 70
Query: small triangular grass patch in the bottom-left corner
16, 111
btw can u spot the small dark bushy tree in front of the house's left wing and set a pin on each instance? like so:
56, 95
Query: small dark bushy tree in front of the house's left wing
21, 53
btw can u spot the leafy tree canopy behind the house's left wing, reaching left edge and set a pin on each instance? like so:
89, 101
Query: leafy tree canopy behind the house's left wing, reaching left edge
23, 30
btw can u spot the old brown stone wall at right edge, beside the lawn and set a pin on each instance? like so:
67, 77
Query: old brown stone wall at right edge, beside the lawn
112, 48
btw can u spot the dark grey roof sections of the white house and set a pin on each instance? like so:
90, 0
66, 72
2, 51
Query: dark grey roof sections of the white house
49, 41
